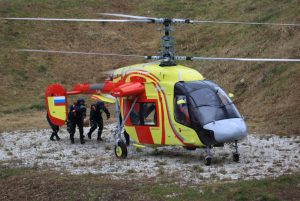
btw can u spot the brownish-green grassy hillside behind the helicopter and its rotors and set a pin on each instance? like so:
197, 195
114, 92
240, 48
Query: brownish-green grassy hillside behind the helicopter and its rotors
268, 94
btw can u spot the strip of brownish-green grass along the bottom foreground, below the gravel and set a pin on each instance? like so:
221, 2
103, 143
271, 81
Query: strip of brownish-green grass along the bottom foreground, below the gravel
32, 184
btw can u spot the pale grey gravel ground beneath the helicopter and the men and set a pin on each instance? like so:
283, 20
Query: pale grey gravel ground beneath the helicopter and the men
261, 156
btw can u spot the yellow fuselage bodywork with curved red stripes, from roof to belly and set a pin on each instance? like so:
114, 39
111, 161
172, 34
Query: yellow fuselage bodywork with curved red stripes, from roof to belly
159, 85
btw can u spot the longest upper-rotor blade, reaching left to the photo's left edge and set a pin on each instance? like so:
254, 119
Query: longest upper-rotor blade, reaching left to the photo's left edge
80, 20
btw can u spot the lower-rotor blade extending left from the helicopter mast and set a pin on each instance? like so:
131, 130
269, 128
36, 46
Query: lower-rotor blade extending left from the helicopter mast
78, 53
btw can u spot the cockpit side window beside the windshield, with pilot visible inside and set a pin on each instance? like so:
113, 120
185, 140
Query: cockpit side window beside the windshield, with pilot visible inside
181, 110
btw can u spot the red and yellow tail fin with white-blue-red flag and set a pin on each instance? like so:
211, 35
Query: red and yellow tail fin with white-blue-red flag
57, 105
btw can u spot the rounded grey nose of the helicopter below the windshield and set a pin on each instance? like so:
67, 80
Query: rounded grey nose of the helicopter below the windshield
228, 130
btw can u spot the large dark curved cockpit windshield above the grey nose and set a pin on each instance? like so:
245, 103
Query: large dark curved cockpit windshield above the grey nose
207, 102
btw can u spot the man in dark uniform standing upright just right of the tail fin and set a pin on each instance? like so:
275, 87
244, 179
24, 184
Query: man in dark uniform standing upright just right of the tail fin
76, 116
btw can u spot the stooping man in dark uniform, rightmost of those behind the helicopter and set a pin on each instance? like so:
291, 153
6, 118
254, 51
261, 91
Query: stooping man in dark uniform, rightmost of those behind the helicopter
96, 118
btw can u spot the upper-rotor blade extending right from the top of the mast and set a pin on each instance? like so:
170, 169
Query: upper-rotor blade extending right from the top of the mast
246, 23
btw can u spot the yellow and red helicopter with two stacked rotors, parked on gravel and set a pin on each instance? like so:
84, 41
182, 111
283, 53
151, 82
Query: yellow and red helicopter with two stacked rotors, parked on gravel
161, 103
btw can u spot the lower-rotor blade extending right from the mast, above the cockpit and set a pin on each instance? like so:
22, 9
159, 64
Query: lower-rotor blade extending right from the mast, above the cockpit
236, 59
